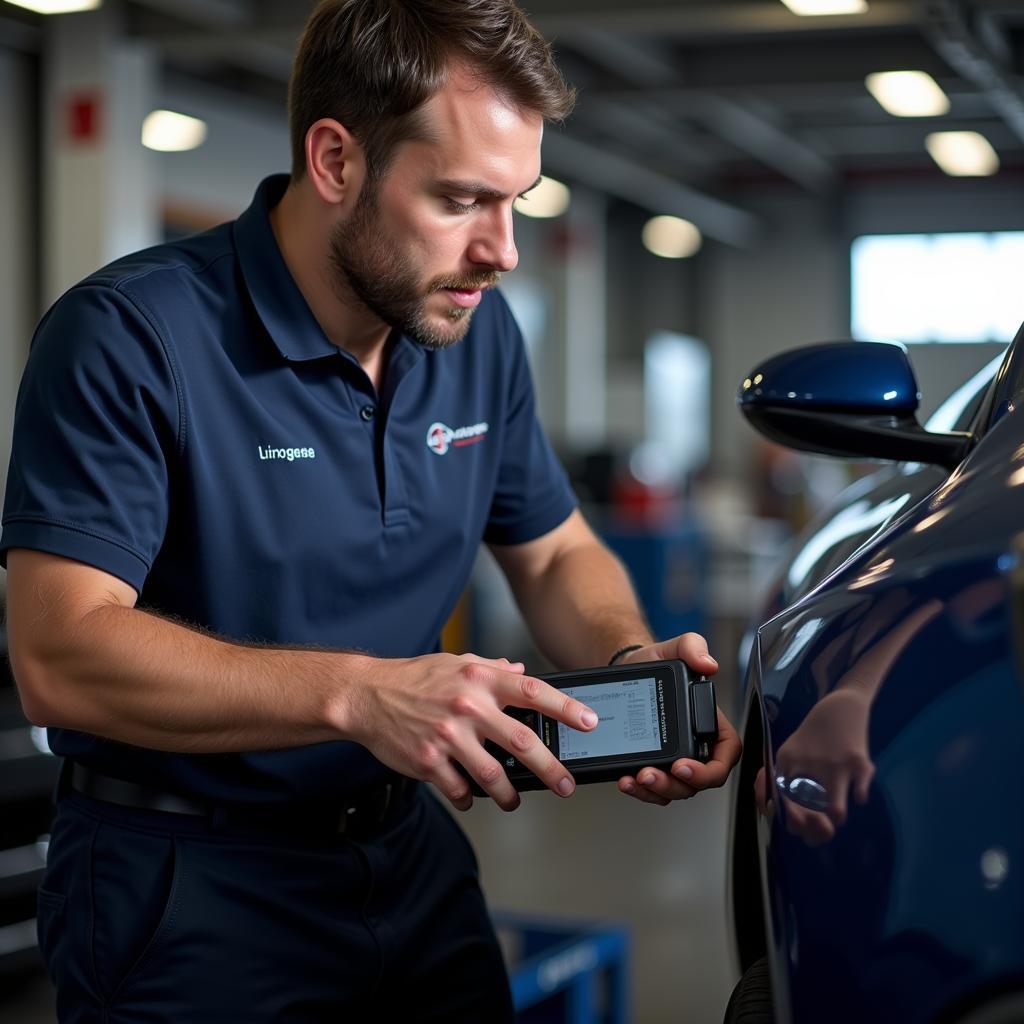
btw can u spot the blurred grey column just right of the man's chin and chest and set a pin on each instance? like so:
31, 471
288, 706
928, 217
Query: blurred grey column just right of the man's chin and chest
586, 327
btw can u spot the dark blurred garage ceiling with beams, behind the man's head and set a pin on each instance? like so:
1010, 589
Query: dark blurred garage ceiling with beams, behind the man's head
686, 103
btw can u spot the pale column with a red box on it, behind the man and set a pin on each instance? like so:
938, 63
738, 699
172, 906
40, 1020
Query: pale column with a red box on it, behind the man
102, 196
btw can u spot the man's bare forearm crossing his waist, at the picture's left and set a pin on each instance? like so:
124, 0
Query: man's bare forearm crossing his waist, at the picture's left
134, 677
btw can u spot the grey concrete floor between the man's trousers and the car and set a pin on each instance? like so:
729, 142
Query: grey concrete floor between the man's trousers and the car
603, 857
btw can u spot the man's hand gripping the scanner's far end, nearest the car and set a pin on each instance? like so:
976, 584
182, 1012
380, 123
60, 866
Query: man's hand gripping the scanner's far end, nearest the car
687, 777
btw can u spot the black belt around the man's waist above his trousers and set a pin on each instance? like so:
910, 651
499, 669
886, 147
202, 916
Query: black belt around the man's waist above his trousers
362, 814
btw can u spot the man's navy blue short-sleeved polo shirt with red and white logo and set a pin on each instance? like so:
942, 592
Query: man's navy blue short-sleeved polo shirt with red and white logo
185, 424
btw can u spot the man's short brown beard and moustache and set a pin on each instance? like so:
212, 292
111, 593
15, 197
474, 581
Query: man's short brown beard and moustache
370, 267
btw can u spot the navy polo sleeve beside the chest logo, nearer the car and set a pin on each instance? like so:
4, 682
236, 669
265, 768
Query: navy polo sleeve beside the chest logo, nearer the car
533, 495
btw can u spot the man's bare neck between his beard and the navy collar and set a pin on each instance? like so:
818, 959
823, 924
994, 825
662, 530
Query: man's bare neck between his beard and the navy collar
304, 238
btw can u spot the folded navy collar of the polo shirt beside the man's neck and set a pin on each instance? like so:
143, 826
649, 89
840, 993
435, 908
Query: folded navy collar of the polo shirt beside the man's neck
281, 306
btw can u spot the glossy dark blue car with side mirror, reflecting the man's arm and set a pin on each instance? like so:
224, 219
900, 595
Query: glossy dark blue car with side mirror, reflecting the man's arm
878, 831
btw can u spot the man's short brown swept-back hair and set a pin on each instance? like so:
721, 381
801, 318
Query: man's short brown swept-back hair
372, 64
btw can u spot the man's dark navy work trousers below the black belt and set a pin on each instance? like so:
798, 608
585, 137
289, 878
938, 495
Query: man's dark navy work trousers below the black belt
150, 917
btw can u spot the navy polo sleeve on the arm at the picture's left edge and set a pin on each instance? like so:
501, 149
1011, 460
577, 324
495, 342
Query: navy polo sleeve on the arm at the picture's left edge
97, 426
